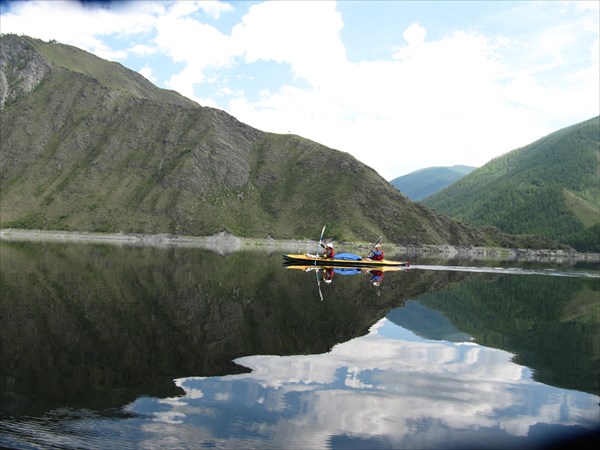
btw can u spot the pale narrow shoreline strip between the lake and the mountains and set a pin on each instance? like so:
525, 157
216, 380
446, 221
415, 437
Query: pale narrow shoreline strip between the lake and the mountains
225, 243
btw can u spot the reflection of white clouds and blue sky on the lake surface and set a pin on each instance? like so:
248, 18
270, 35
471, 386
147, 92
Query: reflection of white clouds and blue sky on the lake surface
389, 388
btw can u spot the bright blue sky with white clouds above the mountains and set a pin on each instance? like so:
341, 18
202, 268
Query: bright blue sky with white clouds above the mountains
400, 85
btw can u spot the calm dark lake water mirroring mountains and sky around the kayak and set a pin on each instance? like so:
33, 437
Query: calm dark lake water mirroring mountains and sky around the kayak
106, 346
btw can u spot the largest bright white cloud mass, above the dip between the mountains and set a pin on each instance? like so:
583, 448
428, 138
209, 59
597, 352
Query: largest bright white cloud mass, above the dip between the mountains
454, 100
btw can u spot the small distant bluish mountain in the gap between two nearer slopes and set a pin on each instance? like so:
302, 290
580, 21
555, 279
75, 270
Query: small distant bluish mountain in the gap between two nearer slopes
425, 182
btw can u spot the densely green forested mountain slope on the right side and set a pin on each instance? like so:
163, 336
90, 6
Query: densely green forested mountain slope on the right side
549, 188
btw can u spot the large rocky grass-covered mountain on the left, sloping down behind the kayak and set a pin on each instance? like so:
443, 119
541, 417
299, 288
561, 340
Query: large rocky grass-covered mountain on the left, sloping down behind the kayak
88, 145
